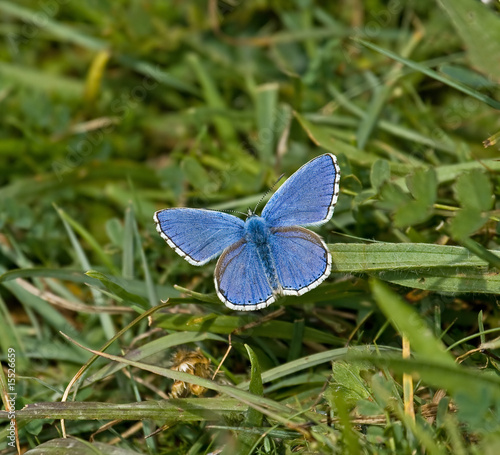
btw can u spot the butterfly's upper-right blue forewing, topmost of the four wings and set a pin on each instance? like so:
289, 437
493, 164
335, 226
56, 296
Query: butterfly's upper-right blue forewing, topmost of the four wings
308, 196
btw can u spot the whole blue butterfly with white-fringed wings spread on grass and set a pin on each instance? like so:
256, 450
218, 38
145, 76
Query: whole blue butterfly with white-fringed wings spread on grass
265, 256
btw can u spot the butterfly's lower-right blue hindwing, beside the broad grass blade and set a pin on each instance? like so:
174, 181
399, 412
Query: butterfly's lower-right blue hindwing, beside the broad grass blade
301, 258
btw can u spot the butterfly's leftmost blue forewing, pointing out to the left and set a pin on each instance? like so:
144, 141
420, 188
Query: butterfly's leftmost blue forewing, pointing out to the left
198, 235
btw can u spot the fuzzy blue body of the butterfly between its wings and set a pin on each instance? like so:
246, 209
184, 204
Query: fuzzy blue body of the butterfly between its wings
257, 232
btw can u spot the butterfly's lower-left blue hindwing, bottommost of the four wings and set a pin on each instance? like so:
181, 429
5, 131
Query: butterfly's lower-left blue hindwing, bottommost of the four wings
240, 278
